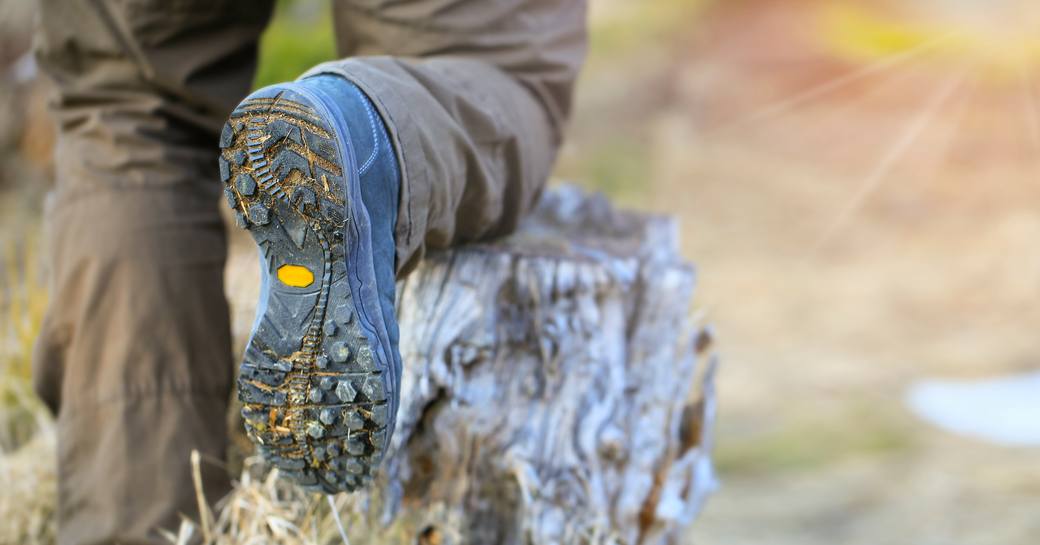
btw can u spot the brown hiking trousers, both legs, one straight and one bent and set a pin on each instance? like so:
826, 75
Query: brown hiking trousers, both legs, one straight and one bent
135, 357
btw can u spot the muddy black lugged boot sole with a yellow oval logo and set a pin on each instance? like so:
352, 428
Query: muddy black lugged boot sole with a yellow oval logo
315, 385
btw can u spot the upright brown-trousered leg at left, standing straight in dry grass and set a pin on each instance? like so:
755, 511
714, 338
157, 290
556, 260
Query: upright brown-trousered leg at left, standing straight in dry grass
135, 356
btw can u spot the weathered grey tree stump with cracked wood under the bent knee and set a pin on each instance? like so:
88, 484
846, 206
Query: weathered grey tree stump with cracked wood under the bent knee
559, 390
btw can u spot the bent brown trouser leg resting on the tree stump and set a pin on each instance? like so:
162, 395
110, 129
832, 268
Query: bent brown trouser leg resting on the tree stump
476, 94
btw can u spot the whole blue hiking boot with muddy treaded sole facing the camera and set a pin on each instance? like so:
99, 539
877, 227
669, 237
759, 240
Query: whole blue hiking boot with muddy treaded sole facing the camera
310, 173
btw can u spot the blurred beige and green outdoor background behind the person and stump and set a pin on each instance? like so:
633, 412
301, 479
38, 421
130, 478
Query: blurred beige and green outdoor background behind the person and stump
857, 184
